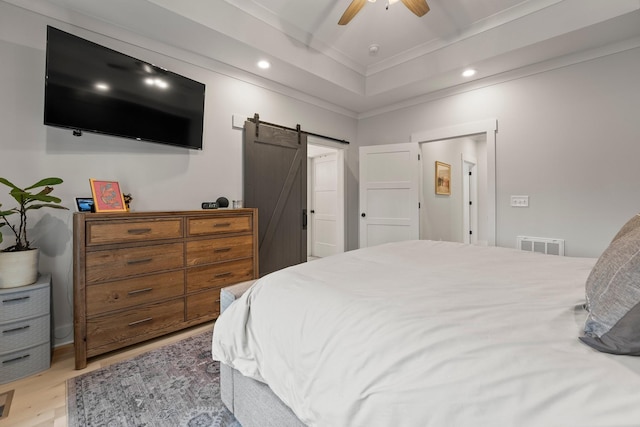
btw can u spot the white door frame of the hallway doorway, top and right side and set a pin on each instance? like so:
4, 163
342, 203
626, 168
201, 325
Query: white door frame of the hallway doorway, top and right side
489, 127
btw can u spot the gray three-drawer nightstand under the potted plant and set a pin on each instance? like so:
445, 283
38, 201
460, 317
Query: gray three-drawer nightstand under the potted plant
25, 331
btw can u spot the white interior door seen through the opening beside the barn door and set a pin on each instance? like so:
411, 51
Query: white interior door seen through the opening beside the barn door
324, 189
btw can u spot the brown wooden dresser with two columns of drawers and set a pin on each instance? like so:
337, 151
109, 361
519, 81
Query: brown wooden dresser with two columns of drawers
139, 275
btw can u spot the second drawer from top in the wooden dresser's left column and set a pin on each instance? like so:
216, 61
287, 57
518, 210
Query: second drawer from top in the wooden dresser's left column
126, 262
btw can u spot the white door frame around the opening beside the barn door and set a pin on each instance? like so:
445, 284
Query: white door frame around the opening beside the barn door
341, 158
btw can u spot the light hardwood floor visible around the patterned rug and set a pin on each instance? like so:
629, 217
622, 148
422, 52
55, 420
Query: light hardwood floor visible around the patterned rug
41, 399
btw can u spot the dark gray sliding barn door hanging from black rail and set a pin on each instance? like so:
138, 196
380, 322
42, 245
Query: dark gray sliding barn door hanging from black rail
275, 182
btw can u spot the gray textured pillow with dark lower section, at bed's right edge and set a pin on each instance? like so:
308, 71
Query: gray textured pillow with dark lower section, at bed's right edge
613, 295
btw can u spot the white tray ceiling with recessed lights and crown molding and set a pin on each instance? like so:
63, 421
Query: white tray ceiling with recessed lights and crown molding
310, 53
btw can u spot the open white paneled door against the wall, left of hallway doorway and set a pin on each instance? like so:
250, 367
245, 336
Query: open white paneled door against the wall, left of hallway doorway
389, 189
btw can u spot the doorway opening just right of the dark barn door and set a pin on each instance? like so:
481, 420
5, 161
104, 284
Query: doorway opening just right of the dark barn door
325, 198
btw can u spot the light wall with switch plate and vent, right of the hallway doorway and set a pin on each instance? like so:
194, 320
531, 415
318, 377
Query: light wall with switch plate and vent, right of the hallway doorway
569, 137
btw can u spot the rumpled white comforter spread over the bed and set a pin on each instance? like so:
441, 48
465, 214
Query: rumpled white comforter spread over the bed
428, 333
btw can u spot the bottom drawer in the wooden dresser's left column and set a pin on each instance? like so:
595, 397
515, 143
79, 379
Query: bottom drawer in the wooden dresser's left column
134, 325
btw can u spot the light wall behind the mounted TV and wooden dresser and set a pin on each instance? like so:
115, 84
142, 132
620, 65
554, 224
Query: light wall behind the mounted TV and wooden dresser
159, 177
